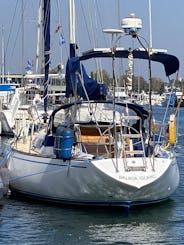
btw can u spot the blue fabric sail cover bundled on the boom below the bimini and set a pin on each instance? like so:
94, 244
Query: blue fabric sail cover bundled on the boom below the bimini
77, 79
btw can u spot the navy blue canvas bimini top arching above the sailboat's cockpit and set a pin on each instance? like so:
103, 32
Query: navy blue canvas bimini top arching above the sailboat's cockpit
170, 62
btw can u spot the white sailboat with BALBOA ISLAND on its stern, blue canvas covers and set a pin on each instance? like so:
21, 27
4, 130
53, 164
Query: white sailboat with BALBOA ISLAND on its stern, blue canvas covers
98, 152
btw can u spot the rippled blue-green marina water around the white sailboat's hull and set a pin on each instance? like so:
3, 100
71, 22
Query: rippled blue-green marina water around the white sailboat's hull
28, 223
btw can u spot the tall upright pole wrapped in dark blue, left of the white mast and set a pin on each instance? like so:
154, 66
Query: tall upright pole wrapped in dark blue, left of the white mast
46, 26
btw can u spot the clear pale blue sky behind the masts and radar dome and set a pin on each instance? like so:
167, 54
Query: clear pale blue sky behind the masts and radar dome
96, 15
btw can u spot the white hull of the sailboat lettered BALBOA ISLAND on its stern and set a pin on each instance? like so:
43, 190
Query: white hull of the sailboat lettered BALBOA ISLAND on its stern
93, 182
